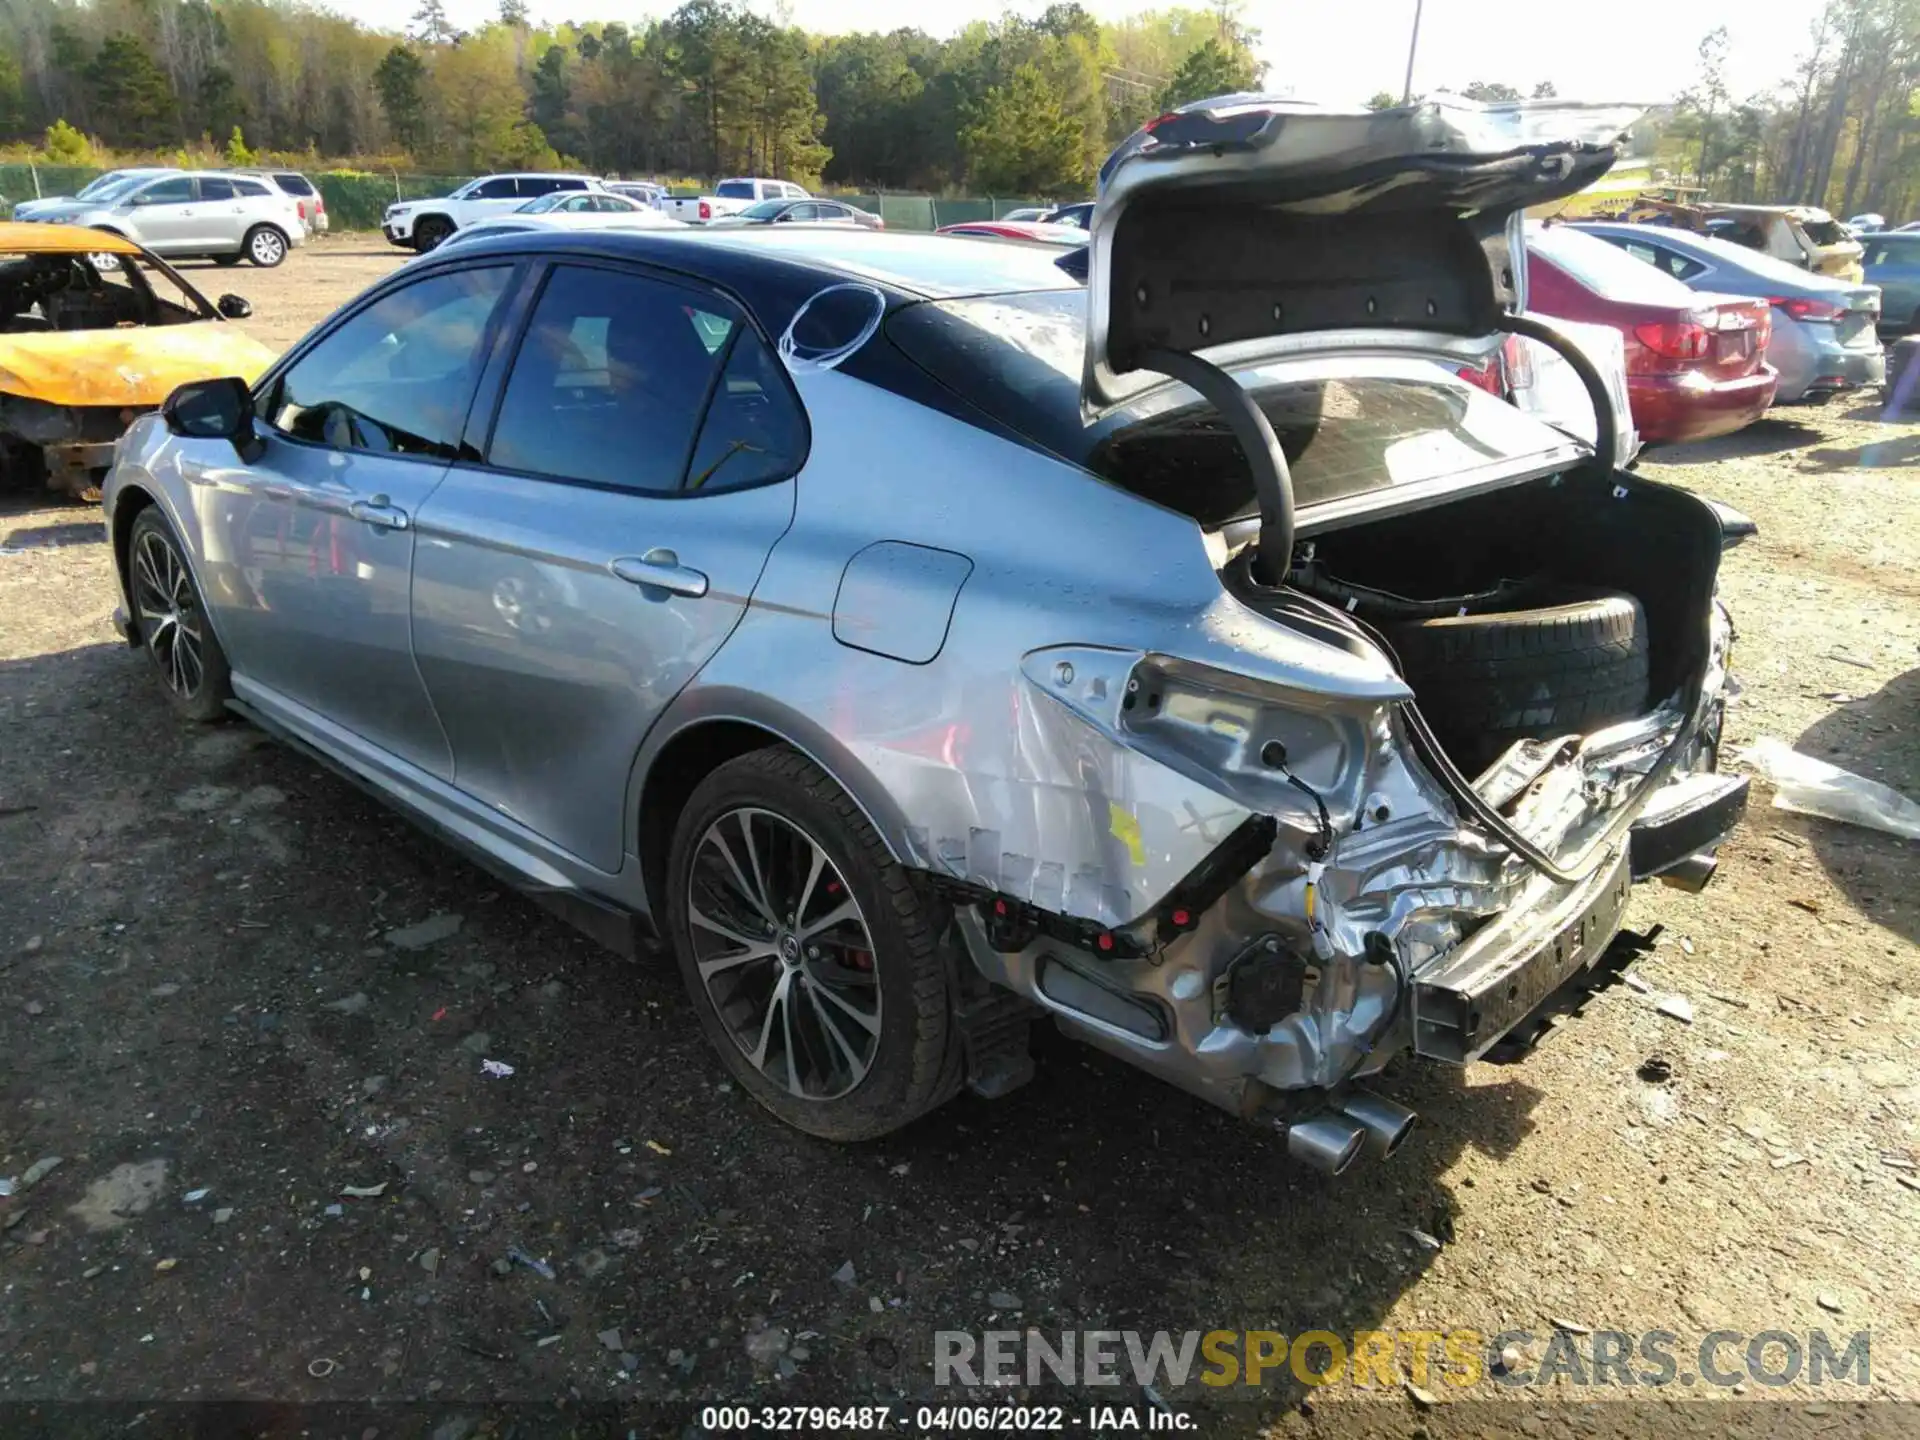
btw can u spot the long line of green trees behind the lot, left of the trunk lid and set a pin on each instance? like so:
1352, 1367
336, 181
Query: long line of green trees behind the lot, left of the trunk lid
1011, 107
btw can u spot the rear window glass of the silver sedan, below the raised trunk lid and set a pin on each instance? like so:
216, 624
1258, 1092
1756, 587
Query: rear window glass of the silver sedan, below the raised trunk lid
1351, 427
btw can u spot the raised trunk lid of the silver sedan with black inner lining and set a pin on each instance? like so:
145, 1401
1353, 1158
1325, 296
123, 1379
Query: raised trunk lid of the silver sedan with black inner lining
1245, 220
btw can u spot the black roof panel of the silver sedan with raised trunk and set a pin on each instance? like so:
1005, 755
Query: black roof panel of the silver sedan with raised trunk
905, 264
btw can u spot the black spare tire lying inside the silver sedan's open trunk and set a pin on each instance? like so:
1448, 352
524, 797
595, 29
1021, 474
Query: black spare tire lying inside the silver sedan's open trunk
1487, 681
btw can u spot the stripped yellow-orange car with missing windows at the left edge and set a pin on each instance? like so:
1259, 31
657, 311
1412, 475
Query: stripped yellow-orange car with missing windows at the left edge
93, 333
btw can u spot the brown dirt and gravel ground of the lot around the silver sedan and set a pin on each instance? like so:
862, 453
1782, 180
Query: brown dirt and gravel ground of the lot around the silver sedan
208, 1019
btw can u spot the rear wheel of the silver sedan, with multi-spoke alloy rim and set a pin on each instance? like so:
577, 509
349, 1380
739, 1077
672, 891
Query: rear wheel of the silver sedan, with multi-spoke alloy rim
809, 953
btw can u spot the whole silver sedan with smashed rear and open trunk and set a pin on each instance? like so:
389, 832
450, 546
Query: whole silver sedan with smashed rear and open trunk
924, 644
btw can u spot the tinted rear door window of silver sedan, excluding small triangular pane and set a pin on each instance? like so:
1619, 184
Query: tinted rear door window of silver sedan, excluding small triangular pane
610, 383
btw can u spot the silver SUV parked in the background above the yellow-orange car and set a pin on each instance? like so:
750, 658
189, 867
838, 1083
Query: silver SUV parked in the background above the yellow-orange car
193, 214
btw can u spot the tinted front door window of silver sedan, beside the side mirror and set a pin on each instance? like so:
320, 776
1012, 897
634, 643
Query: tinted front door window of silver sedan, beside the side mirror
396, 377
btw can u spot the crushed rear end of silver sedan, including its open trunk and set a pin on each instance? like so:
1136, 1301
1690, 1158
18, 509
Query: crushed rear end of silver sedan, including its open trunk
1506, 696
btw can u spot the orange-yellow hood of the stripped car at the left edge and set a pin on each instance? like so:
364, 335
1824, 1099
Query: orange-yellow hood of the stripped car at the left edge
132, 366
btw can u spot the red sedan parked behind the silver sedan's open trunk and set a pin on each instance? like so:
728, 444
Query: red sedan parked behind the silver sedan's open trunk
1696, 364
